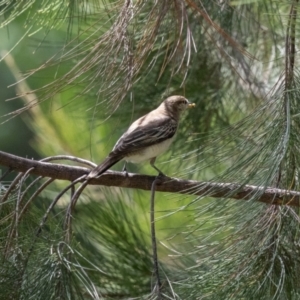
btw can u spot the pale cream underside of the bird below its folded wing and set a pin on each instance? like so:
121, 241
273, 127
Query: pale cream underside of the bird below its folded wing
149, 152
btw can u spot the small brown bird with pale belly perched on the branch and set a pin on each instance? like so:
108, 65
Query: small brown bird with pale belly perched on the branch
147, 137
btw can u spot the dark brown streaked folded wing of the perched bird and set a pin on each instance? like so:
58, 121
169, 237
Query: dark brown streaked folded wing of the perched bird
145, 135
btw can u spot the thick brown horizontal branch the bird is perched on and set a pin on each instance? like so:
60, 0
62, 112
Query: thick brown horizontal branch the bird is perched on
166, 184
